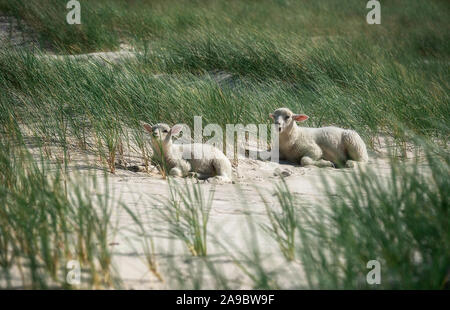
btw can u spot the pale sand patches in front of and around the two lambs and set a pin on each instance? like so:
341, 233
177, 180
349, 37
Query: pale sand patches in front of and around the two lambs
145, 192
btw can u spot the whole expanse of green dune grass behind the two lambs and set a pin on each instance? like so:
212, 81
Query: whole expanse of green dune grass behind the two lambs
318, 58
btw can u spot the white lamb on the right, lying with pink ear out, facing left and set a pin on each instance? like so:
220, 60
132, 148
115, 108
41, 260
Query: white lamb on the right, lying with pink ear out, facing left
321, 147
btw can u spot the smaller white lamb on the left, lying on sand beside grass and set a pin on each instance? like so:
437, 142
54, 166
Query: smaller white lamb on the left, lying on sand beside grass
180, 159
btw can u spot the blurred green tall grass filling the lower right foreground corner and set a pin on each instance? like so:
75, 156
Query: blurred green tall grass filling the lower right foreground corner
400, 220
